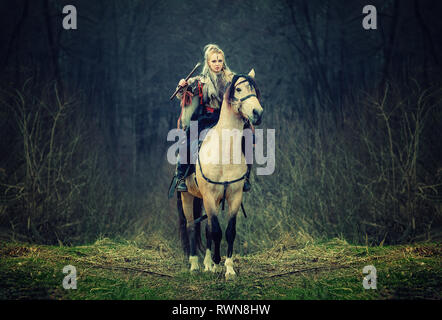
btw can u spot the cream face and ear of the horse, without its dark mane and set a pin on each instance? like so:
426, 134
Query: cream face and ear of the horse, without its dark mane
246, 103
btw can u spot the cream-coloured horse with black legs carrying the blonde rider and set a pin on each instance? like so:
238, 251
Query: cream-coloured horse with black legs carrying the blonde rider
215, 182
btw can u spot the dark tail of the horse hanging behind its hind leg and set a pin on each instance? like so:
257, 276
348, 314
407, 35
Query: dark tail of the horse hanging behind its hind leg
182, 224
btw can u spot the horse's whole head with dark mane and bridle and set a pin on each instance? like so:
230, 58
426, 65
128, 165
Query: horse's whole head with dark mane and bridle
243, 96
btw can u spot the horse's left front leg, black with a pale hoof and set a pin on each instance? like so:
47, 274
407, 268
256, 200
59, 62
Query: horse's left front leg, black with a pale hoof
213, 232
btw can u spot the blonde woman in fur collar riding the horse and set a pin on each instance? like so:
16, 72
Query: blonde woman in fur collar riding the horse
205, 92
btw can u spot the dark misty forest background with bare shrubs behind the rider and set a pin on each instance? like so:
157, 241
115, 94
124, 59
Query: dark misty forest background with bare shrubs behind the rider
84, 116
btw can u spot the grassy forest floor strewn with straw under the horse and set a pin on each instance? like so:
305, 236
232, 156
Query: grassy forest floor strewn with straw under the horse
116, 269
